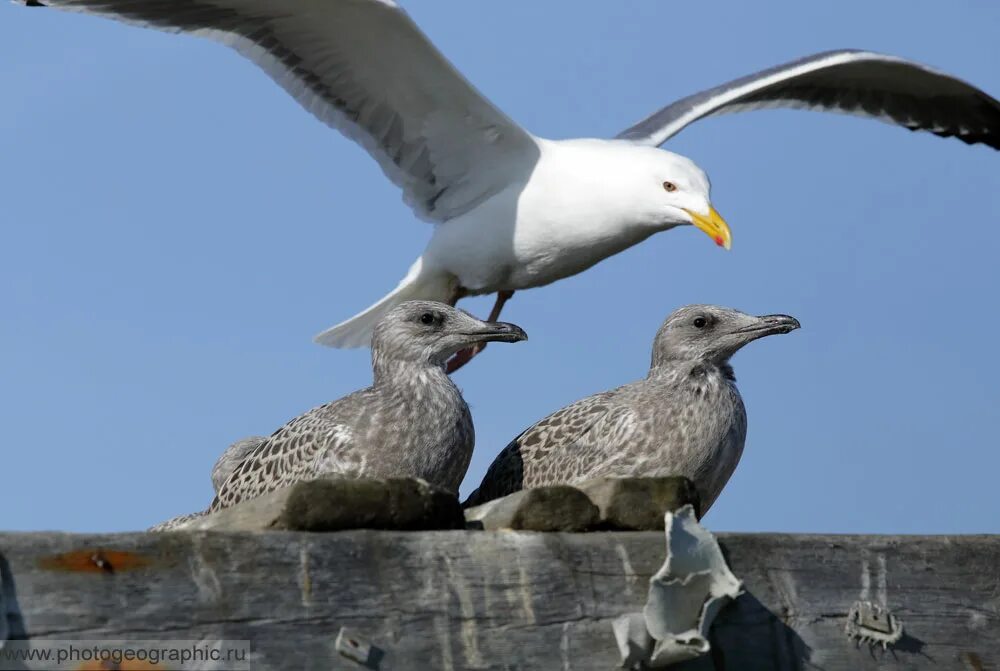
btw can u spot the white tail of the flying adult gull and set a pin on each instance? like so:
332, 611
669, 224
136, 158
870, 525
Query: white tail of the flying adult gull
417, 285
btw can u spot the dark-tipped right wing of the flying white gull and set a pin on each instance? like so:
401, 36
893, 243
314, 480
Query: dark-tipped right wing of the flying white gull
861, 83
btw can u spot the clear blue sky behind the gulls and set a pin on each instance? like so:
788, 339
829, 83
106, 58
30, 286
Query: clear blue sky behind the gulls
175, 229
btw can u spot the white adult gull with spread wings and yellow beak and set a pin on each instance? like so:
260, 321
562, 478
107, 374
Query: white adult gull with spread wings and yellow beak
511, 210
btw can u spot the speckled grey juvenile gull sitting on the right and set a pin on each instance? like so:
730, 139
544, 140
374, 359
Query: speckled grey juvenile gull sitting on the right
685, 418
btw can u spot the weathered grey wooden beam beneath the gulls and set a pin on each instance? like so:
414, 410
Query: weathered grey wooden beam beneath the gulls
500, 600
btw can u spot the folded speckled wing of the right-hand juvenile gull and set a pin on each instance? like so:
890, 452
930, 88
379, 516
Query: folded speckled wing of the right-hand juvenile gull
561, 448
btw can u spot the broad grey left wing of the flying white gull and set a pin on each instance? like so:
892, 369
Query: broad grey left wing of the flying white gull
364, 68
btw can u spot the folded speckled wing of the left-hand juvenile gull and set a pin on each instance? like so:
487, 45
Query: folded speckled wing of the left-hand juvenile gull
304, 447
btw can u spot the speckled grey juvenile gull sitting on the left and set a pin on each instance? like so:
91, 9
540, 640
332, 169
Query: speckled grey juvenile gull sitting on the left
412, 421
